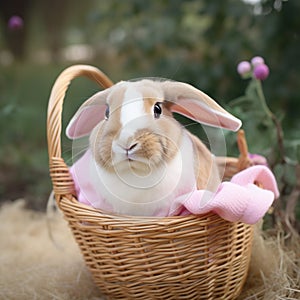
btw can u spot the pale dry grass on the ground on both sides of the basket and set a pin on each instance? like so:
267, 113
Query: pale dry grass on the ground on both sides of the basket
32, 267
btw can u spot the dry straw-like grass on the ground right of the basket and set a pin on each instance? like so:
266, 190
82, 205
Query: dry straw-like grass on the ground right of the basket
275, 267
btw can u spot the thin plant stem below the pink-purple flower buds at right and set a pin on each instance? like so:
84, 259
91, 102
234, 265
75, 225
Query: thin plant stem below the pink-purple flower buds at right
279, 130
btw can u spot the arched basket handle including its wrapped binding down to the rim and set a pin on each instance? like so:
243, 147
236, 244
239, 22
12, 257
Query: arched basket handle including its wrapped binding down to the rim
62, 181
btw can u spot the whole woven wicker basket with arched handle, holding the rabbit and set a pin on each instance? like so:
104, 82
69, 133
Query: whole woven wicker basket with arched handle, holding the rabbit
181, 257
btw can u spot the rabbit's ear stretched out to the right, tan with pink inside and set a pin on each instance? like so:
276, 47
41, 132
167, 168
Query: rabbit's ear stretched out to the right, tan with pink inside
196, 105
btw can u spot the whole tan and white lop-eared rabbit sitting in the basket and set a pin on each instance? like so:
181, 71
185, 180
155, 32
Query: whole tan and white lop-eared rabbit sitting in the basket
141, 158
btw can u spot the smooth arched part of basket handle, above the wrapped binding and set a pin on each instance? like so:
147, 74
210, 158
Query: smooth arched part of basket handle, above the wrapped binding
54, 119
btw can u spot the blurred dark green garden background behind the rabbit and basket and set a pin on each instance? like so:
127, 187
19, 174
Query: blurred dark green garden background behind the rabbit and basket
196, 41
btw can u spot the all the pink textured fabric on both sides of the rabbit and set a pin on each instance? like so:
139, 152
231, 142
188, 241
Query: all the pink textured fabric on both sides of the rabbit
237, 200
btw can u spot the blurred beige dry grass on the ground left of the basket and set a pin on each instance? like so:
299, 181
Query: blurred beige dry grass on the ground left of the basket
32, 267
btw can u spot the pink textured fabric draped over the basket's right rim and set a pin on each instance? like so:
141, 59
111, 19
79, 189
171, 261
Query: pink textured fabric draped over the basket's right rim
237, 200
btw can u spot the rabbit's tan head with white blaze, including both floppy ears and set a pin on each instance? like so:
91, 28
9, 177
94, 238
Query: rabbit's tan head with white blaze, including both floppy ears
131, 124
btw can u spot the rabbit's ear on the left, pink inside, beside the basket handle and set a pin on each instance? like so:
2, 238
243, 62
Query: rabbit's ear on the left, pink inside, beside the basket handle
90, 113
